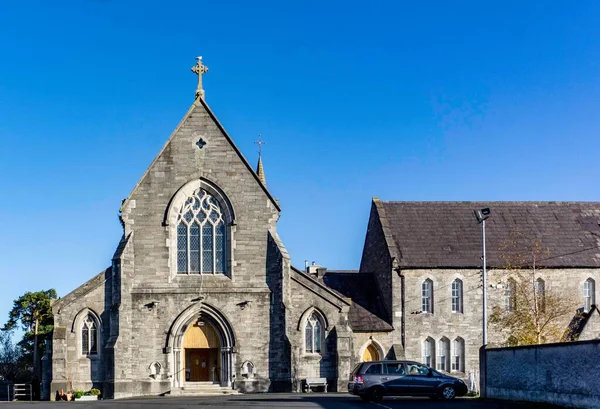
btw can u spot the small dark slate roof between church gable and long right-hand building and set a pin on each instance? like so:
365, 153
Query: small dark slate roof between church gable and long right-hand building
366, 309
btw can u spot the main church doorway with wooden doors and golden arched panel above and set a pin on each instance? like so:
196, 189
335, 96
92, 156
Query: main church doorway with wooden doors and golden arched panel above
201, 349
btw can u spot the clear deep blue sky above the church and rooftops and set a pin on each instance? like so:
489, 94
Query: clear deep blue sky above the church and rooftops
401, 100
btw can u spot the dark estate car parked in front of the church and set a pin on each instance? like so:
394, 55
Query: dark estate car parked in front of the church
374, 380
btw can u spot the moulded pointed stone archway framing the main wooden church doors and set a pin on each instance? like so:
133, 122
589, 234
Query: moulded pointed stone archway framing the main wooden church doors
185, 332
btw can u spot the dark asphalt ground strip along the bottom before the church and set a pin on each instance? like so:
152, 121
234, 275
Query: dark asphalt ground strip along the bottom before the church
288, 401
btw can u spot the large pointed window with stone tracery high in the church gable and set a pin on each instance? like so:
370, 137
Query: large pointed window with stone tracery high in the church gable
201, 238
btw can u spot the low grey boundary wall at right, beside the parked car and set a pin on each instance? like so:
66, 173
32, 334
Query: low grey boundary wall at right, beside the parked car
562, 374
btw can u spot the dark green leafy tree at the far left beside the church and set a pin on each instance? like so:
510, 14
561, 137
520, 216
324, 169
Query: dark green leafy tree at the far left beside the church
33, 312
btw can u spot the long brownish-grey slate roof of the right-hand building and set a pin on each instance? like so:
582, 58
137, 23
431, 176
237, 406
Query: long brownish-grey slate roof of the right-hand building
446, 234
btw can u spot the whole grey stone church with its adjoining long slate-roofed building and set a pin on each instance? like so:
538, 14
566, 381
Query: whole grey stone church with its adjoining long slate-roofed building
201, 289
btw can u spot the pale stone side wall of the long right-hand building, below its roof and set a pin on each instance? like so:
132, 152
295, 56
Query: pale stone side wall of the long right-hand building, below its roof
468, 324
